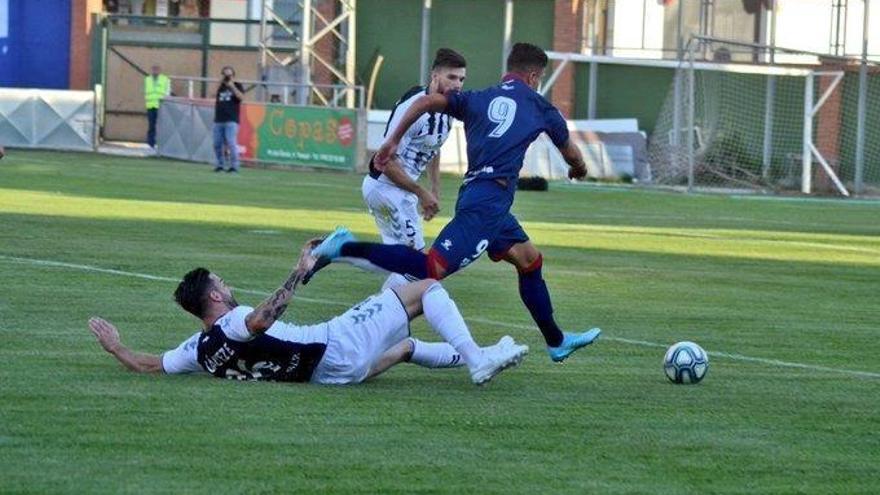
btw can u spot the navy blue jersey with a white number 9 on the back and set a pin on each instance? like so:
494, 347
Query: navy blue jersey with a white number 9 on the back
500, 123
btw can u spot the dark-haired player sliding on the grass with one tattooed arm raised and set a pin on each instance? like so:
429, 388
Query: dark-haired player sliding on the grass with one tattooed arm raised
244, 343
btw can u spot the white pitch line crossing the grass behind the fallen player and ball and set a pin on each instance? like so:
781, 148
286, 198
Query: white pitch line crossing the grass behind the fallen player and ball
643, 343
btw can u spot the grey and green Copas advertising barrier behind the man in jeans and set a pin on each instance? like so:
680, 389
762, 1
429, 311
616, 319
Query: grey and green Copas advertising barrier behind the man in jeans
292, 135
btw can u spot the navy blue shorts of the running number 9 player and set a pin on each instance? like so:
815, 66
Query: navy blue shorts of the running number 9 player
482, 222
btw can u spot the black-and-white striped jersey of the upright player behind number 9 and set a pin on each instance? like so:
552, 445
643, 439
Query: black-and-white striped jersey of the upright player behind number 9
422, 141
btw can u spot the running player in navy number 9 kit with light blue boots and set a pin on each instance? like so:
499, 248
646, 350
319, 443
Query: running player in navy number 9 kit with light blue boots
500, 123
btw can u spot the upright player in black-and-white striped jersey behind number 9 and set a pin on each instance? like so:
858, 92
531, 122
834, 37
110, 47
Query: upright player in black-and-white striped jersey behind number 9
393, 195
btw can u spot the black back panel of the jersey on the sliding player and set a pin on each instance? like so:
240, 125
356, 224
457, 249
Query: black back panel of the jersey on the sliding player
262, 358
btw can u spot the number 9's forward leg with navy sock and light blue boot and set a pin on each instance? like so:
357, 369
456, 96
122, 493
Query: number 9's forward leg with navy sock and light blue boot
536, 297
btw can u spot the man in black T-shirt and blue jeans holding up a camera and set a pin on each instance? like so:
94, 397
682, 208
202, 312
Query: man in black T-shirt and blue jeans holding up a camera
226, 107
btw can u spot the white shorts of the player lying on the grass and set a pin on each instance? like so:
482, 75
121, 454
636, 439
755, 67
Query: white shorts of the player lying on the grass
359, 337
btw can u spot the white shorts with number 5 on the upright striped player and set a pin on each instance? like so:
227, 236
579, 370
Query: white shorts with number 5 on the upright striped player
396, 212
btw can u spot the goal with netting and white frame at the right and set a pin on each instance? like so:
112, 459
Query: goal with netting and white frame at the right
739, 122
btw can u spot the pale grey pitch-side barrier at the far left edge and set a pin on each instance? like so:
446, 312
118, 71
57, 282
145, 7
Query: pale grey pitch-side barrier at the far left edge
49, 119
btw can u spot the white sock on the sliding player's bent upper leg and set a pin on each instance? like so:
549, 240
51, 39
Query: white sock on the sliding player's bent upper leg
443, 316
